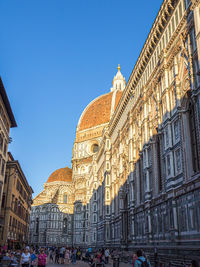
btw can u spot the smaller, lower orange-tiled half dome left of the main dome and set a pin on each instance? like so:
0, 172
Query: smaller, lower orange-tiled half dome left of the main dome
61, 175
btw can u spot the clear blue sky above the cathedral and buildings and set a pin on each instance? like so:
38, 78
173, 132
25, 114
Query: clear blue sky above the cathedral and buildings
55, 57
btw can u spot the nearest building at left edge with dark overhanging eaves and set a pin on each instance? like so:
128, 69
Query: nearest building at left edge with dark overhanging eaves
7, 121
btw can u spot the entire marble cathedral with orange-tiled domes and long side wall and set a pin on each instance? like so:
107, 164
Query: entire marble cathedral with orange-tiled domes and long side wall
135, 178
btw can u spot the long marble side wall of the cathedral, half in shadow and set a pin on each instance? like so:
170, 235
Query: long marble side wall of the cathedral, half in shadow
149, 170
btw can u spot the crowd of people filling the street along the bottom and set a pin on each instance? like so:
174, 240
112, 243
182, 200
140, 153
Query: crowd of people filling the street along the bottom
31, 257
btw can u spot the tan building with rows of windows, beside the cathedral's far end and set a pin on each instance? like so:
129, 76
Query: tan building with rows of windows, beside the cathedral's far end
16, 205
